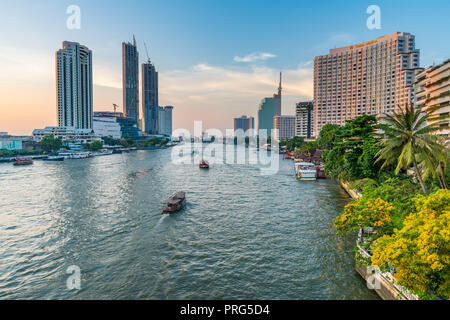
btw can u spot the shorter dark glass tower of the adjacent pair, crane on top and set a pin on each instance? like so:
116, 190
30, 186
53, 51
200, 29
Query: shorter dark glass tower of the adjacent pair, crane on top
150, 107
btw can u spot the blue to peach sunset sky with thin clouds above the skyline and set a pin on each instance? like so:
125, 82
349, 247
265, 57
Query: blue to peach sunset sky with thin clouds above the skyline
216, 59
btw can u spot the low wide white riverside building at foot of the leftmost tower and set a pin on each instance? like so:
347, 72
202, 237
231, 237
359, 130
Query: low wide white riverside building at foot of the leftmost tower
66, 134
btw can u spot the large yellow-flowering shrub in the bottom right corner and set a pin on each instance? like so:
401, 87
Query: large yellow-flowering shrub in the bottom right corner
420, 251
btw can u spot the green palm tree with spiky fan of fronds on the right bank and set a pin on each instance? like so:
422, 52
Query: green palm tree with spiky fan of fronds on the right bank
406, 137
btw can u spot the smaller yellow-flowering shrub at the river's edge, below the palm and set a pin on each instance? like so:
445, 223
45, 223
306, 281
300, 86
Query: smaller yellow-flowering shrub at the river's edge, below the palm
364, 213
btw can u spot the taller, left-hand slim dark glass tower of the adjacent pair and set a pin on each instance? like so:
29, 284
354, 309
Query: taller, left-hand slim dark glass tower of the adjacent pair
130, 78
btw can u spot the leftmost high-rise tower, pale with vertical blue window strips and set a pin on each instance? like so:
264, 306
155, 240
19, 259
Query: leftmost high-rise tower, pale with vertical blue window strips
74, 86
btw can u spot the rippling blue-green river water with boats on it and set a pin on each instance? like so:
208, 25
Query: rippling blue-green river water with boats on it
241, 236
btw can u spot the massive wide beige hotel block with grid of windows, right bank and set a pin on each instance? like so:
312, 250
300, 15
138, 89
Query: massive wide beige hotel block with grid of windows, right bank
373, 77
